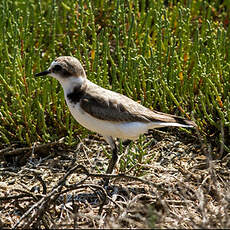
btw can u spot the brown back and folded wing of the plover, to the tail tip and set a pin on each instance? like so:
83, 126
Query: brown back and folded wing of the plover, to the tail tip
108, 105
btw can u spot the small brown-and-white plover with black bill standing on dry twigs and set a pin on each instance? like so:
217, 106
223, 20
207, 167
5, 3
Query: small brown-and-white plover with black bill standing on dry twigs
108, 113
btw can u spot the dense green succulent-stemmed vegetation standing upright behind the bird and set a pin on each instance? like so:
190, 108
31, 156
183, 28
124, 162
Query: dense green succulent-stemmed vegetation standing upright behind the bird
172, 57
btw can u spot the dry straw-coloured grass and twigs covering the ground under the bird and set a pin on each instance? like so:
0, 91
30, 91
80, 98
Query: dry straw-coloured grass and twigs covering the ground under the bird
176, 185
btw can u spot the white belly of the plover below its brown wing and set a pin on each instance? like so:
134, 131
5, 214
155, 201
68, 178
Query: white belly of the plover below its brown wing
123, 130
